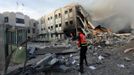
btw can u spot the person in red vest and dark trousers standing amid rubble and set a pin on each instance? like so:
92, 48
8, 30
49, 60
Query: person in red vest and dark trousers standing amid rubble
82, 43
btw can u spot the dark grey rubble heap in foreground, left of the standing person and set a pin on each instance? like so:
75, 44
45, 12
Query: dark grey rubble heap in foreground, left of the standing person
48, 63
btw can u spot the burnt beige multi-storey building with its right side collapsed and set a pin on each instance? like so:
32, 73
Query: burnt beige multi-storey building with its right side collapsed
63, 20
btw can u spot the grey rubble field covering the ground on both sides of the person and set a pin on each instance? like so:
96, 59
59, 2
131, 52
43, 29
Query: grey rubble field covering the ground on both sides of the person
103, 59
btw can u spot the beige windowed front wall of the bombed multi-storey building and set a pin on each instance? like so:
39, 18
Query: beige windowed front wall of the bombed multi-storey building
59, 22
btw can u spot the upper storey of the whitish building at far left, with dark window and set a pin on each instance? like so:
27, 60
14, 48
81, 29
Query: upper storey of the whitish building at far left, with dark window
16, 19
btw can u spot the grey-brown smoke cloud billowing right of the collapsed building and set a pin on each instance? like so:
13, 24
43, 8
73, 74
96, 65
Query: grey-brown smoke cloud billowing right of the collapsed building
115, 14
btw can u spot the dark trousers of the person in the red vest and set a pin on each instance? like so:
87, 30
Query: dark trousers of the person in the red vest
83, 51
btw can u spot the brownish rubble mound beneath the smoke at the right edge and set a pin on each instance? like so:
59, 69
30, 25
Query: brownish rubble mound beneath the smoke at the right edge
114, 40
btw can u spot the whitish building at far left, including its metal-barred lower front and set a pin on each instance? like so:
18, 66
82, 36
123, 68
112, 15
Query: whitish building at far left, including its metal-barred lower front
15, 28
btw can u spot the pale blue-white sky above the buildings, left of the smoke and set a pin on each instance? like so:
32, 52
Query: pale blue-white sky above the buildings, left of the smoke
33, 8
